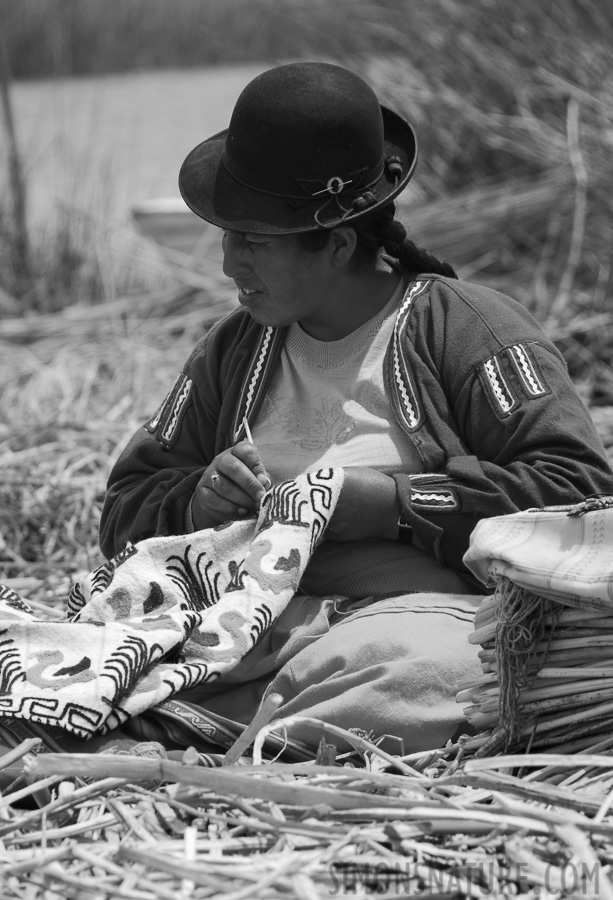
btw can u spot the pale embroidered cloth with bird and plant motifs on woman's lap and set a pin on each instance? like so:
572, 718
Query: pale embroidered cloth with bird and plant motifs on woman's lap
163, 616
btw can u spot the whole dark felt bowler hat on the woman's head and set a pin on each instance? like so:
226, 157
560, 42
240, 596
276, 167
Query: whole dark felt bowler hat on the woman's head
308, 147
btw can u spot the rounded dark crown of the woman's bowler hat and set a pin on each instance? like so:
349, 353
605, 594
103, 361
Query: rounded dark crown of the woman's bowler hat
297, 126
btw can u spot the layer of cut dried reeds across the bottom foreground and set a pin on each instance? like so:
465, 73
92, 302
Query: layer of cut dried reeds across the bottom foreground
303, 831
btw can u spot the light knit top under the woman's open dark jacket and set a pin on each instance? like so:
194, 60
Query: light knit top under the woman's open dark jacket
327, 405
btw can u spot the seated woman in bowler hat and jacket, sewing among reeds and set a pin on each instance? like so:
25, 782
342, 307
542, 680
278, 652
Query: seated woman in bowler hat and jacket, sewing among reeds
443, 402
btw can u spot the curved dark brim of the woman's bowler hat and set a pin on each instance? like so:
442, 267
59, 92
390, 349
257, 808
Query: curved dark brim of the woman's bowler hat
213, 194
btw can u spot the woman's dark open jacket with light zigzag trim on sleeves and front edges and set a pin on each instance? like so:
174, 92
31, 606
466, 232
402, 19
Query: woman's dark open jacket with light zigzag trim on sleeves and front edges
476, 385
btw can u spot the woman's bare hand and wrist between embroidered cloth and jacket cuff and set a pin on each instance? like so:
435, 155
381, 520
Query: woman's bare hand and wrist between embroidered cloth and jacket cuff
368, 507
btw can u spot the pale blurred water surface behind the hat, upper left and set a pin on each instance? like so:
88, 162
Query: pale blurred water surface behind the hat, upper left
104, 144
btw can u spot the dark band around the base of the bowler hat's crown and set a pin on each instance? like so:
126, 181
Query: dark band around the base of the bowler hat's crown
314, 188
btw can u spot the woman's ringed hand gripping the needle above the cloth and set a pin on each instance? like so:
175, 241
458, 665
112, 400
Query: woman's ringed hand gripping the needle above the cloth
231, 487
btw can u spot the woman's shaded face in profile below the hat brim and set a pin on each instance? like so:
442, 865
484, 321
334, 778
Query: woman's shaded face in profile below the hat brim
278, 282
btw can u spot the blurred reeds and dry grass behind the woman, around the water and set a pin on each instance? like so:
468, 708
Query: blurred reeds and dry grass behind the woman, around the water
513, 107
